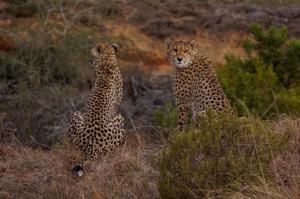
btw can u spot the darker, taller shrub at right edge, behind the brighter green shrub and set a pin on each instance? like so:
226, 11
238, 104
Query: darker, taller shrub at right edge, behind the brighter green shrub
274, 48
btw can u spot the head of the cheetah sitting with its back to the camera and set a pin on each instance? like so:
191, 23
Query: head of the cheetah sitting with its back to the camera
103, 53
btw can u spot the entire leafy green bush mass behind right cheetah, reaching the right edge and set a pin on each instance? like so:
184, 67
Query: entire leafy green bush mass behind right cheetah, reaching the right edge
267, 80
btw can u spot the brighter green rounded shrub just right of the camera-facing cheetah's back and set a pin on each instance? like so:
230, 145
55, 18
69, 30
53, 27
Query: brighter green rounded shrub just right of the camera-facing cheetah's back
254, 89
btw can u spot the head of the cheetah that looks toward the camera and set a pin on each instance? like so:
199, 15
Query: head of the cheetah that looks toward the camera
180, 52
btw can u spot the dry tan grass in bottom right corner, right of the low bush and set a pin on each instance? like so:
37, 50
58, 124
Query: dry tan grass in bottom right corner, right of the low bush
285, 168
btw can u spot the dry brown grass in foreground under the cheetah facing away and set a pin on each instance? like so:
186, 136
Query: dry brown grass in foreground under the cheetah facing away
28, 173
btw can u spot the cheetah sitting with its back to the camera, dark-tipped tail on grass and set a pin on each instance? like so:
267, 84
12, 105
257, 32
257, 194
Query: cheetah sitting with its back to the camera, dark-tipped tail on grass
98, 129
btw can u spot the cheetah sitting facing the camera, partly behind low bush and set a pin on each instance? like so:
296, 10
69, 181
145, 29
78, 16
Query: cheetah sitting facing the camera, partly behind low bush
195, 86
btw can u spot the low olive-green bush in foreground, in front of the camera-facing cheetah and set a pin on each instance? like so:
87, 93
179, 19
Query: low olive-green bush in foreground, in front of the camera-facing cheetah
224, 152
